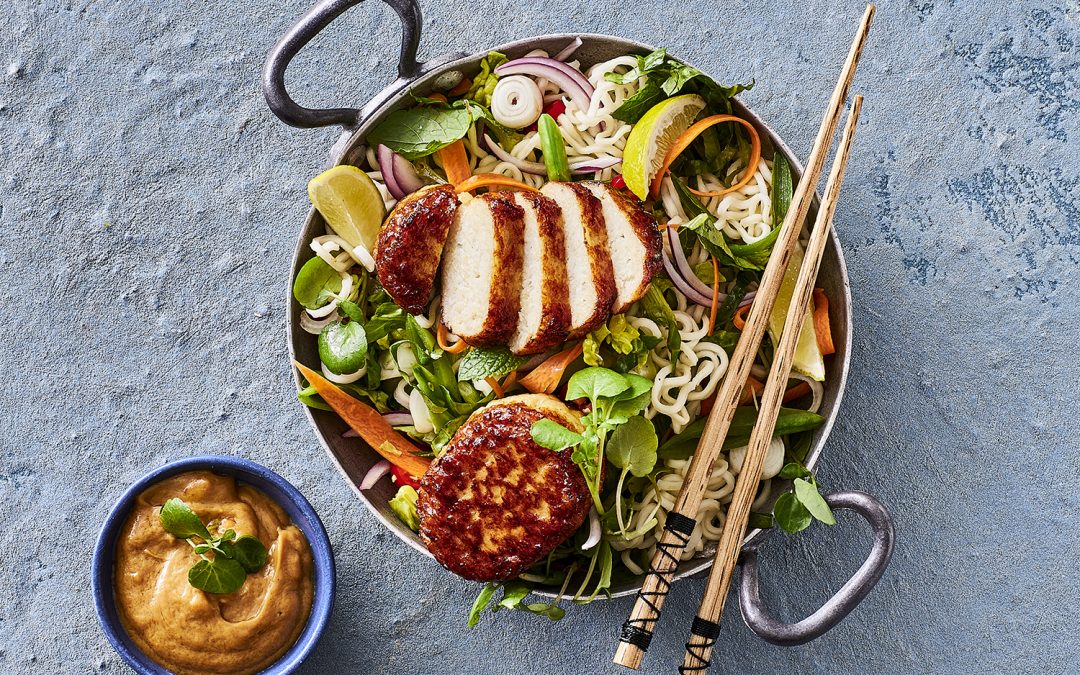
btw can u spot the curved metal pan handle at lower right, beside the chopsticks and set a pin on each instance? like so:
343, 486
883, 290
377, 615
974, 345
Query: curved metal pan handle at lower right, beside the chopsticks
836, 609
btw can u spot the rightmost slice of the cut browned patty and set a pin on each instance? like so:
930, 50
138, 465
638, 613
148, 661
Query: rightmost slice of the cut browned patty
633, 240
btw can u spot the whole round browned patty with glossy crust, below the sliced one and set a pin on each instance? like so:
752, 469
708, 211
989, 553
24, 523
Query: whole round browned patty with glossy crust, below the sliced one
495, 504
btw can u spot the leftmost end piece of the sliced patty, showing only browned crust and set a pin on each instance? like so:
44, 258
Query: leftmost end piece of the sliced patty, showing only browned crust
411, 246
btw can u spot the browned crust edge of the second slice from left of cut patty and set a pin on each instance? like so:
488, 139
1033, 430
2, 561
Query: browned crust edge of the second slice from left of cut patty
505, 300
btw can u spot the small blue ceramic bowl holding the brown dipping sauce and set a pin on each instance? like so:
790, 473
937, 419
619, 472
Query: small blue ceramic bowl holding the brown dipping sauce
246, 471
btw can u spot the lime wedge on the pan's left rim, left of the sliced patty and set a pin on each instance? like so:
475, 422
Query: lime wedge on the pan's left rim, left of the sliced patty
350, 204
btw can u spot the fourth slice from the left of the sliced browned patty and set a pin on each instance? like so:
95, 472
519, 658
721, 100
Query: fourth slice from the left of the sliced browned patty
589, 272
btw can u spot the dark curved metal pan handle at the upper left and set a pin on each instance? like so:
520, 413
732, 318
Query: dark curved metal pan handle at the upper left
310, 25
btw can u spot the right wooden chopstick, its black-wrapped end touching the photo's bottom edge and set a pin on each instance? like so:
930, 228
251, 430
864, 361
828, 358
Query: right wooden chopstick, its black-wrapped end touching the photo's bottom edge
707, 627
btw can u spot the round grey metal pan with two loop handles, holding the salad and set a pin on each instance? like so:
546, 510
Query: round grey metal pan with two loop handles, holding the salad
354, 458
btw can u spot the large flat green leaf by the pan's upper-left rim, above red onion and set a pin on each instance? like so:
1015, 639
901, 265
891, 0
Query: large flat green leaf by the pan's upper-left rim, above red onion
418, 132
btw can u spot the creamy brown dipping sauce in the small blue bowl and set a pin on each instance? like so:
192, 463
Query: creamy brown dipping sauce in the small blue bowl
191, 631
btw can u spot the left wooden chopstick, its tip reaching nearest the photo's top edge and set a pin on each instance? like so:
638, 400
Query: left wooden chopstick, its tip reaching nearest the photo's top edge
638, 630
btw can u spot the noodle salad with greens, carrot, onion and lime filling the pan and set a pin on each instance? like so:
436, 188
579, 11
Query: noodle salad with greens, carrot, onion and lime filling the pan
664, 134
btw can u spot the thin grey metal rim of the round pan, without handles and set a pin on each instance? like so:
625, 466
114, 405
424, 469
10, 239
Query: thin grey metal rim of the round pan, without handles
387, 101
